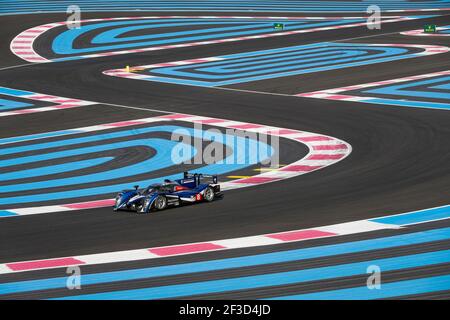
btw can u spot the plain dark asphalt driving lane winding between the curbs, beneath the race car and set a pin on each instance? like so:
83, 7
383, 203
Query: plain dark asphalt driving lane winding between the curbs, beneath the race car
399, 161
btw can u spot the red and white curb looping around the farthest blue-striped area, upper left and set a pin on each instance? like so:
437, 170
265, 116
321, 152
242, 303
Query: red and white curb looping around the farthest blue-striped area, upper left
22, 44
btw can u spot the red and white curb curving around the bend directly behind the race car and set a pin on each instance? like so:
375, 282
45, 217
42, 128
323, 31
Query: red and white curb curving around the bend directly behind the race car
323, 152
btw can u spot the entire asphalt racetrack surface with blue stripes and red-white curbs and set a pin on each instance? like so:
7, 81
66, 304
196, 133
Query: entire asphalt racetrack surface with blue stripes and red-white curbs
385, 151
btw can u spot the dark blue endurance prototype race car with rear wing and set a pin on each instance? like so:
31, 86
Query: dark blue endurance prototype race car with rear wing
159, 196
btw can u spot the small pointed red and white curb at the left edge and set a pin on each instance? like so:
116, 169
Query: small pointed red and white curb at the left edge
61, 103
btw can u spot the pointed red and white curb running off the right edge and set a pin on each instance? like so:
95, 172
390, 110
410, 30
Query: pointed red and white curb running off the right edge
335, 94
